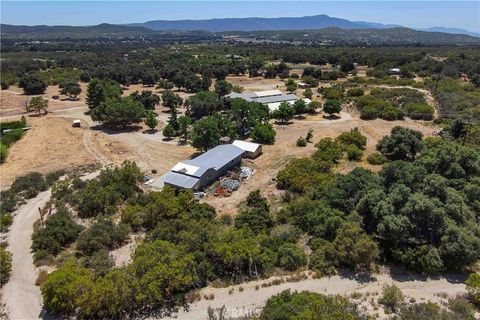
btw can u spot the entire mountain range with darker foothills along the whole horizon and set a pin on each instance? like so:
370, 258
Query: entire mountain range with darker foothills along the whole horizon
318, 29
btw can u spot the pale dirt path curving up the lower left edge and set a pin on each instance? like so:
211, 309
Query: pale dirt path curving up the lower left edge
22, 298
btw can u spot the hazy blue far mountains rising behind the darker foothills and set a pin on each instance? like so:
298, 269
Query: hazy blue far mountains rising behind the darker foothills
285, 23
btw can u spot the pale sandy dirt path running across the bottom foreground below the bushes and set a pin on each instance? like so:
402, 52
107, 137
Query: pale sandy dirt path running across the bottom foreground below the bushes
250, 300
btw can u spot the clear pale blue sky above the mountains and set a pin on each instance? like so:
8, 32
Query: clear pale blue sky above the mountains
415, 14
